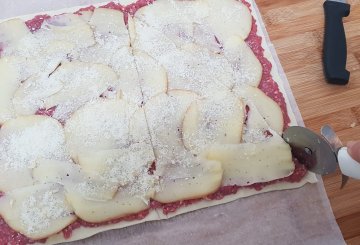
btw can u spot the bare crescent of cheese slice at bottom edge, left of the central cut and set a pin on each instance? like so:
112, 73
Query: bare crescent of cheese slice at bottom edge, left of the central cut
121, 205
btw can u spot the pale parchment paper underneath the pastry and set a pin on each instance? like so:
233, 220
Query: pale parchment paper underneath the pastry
299, 216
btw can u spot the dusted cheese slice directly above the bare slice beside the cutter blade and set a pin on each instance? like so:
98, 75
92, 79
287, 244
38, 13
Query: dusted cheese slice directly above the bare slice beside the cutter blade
217, 120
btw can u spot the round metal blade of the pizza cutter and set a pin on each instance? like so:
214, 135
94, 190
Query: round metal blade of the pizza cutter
312, 150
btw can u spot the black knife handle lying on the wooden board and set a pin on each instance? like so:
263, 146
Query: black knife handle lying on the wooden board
335, 51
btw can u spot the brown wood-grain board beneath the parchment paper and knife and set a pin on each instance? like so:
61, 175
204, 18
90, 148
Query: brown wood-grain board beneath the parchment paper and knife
296, 29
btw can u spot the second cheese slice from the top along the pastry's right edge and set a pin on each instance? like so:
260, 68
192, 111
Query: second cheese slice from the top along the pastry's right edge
247, 68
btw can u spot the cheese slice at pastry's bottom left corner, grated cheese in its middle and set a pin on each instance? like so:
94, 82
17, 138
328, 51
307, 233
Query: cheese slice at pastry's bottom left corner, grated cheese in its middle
37, 211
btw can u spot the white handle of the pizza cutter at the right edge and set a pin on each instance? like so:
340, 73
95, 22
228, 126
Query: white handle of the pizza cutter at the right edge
348, 165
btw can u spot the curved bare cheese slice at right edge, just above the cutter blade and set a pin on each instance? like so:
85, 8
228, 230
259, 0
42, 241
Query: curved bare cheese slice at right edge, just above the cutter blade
267, 107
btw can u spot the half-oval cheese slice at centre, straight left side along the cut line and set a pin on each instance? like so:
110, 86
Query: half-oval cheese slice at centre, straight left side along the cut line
152, 75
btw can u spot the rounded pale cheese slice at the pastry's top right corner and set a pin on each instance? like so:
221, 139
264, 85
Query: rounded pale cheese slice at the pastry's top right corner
236, 19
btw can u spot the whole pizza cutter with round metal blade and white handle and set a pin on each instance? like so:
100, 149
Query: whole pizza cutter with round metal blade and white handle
321, 154
